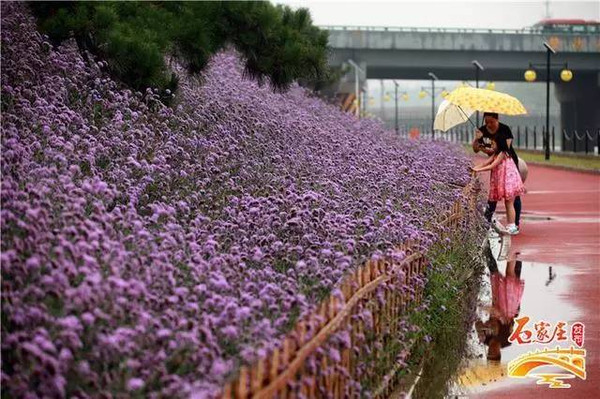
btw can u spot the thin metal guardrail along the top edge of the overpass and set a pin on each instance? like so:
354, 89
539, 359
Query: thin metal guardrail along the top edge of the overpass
530, 31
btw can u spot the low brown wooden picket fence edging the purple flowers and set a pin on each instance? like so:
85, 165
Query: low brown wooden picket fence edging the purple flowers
302, 367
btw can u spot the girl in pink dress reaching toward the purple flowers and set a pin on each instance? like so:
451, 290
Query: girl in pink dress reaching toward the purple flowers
505, 181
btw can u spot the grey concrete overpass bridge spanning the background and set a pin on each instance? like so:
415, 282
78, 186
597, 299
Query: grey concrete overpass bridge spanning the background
410, 53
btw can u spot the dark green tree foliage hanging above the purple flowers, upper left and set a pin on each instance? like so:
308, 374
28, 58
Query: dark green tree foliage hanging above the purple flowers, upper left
280, 45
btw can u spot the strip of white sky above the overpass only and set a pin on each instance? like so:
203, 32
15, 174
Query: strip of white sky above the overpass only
445, 13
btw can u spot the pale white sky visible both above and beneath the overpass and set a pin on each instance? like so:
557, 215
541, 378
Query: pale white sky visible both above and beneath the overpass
486, 14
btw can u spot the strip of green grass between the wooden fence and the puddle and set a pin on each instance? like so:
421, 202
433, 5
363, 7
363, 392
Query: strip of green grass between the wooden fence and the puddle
454, 279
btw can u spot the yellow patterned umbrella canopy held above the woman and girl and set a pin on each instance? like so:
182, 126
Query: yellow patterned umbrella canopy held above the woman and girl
486, 101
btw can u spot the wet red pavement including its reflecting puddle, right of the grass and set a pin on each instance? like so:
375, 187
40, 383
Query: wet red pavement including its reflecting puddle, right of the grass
549, 273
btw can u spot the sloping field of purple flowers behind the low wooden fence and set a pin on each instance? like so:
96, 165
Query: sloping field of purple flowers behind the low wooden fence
153, 250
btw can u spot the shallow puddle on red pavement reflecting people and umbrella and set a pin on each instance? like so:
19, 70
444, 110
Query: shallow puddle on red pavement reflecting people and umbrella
535, 290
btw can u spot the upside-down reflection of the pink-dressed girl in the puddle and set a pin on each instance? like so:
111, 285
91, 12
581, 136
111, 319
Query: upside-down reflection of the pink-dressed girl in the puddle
507, 292
